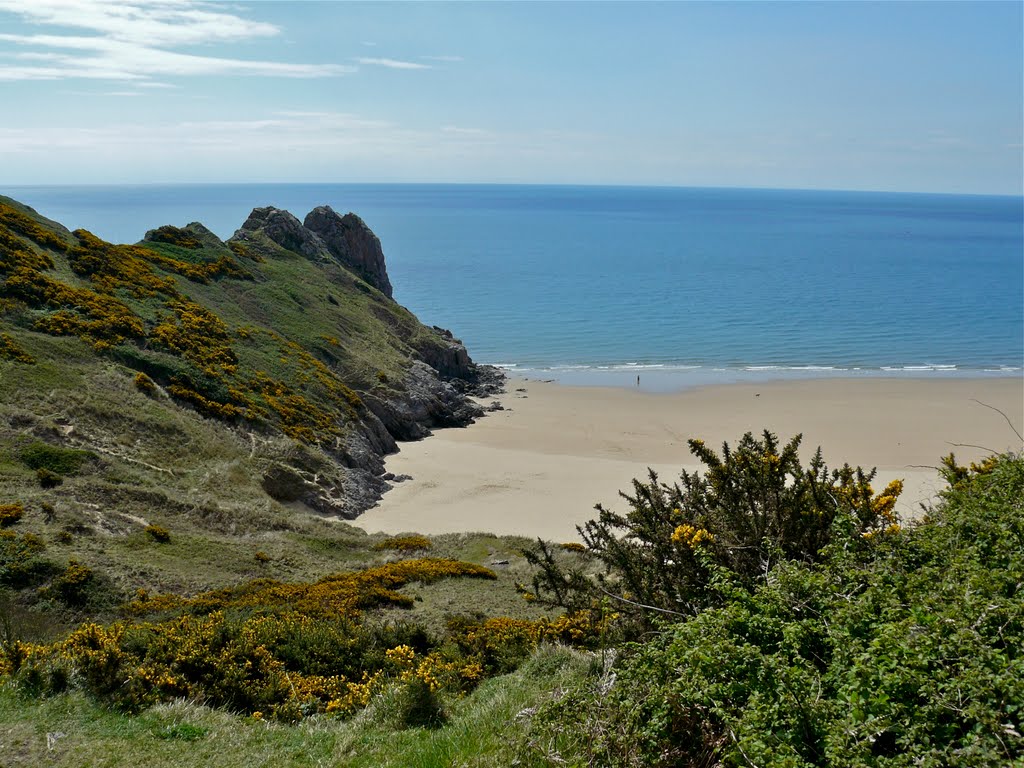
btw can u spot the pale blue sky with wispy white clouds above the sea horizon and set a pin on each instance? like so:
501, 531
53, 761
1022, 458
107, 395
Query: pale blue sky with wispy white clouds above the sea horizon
904, 97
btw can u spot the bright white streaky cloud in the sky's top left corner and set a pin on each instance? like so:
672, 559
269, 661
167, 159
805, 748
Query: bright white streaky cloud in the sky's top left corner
135, 41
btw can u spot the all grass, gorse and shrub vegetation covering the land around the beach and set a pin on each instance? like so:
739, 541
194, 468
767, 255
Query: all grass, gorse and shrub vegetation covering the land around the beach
177, 586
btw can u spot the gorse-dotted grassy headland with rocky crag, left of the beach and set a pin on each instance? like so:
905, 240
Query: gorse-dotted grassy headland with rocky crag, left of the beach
284, 345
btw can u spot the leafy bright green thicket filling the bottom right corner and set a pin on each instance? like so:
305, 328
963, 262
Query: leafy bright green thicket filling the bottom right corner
909, 655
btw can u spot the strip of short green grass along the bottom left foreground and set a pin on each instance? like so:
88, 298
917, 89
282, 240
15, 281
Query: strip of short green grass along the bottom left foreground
481, 732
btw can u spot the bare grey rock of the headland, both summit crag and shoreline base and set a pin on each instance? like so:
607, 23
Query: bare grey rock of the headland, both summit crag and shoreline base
436, 394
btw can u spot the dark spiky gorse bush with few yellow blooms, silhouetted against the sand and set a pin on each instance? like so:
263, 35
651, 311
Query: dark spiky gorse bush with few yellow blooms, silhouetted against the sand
754, 505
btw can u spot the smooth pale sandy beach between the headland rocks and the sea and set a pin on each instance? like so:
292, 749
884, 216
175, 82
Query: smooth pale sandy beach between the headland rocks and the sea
539, 467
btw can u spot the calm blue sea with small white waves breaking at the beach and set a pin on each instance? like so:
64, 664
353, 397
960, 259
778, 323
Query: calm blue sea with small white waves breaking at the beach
661, 288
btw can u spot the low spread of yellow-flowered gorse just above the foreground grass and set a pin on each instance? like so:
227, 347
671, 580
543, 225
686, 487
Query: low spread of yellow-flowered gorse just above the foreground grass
278, 650
